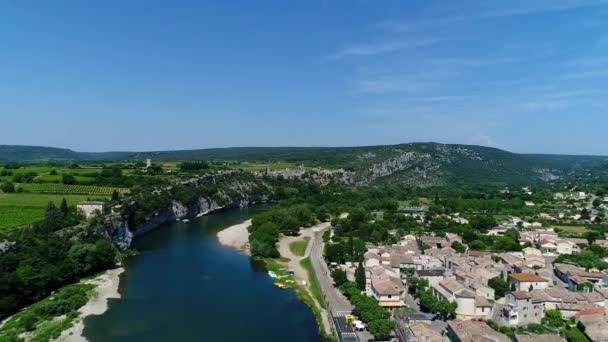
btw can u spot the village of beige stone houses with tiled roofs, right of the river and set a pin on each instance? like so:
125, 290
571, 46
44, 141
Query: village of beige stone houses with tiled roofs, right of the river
438, 288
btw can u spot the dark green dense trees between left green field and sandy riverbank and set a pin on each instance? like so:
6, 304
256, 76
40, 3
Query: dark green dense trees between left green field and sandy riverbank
46, 258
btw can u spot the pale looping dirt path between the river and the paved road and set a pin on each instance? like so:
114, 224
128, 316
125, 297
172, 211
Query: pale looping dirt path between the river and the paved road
300, 272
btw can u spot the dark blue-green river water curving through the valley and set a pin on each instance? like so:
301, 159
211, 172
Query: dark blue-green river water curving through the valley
184, 286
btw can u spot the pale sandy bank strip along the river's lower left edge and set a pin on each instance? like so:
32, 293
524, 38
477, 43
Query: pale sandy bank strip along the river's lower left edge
107, 287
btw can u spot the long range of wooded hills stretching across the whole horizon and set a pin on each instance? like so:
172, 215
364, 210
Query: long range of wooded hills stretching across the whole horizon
416, 164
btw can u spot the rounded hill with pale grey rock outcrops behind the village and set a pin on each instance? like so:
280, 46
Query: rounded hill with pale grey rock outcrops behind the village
424, 165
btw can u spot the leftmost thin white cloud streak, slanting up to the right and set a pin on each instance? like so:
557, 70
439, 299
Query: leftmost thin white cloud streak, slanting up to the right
373, 49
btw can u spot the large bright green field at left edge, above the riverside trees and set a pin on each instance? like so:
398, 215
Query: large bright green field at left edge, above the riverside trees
19, 209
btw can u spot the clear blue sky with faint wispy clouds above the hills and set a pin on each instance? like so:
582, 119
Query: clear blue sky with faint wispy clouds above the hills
522, 75
